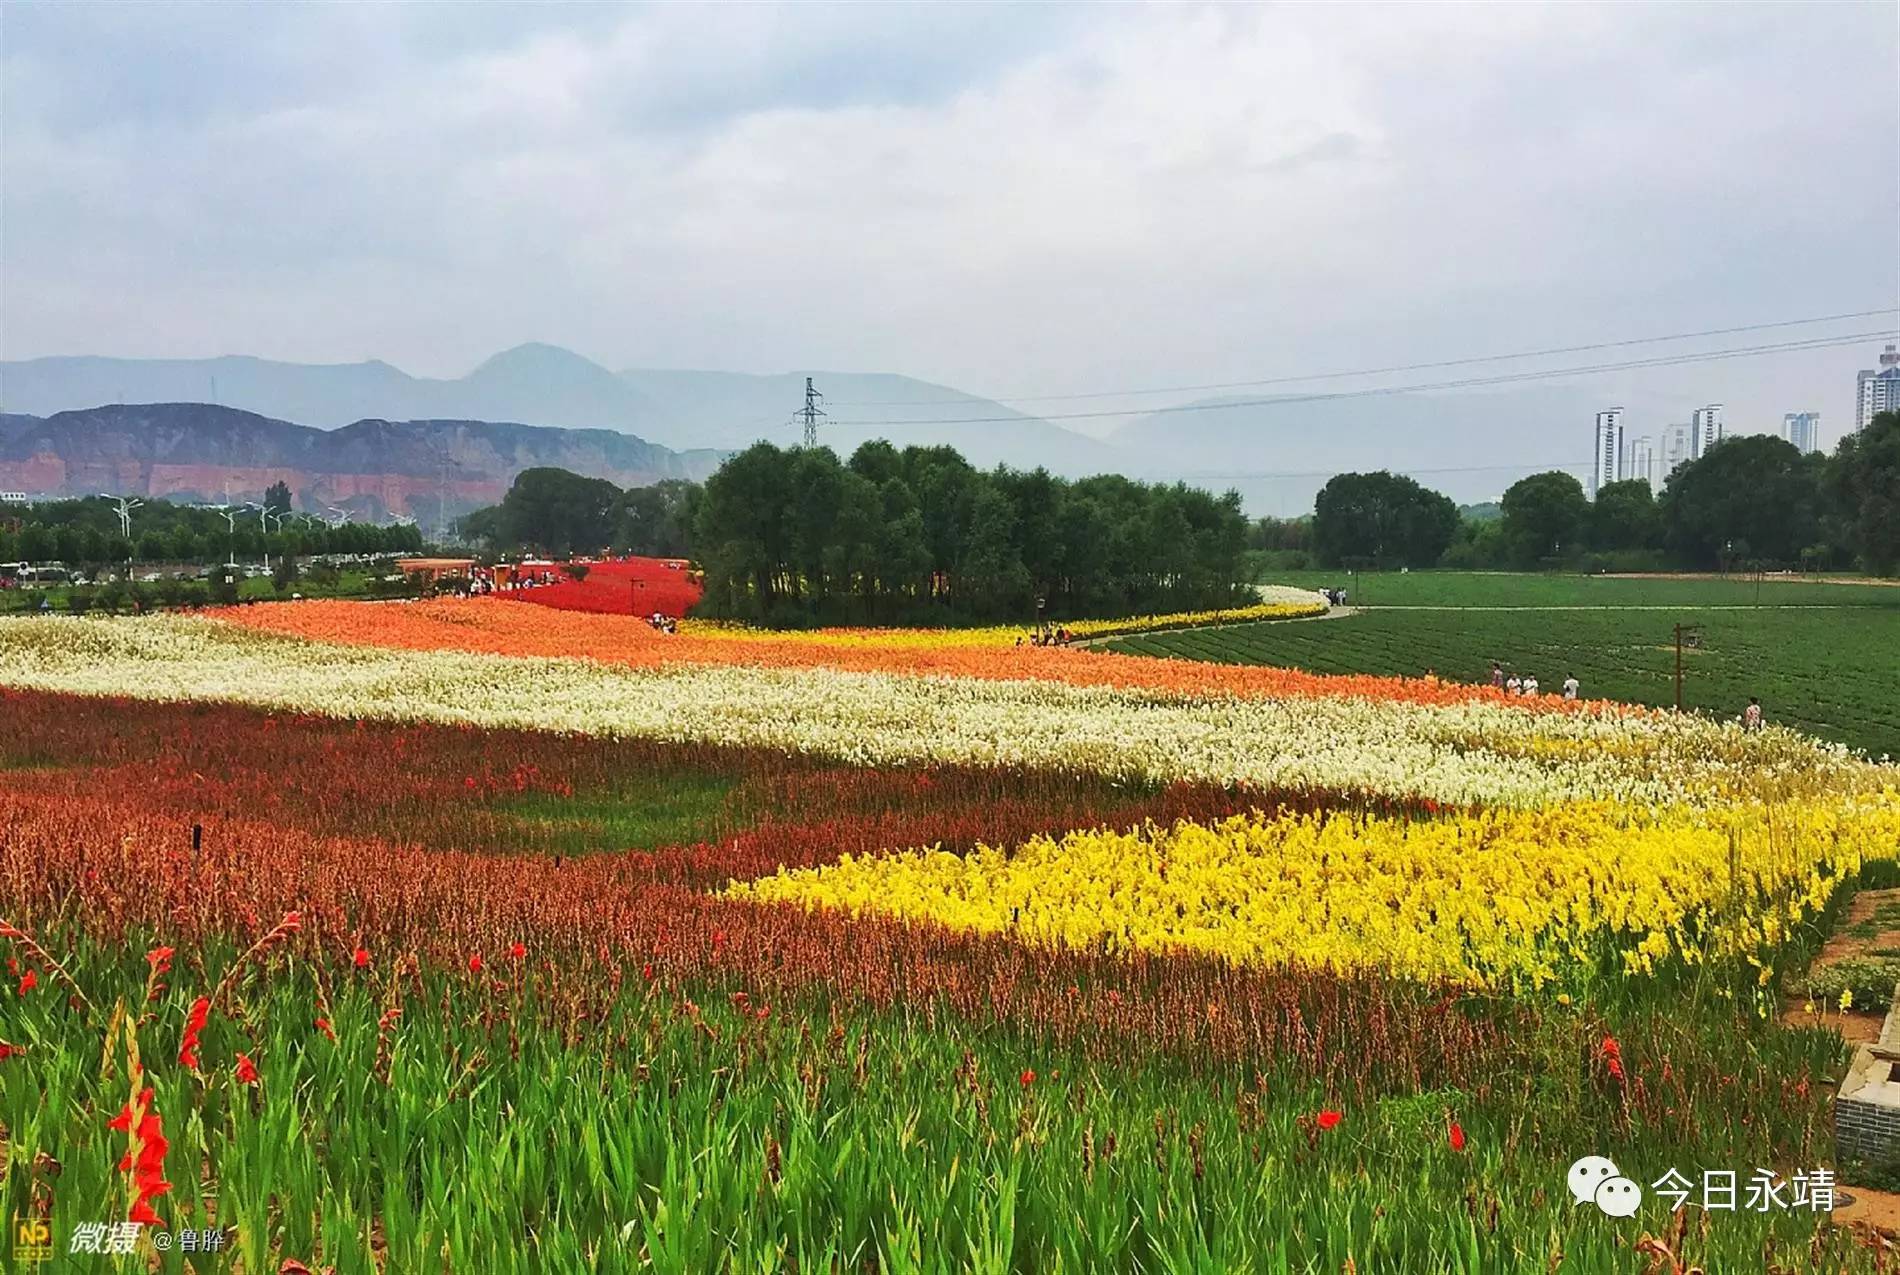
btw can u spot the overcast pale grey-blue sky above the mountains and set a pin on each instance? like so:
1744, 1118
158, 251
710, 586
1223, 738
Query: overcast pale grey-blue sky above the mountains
1008, 200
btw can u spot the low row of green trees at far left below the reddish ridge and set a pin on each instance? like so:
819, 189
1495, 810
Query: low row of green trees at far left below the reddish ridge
88, 531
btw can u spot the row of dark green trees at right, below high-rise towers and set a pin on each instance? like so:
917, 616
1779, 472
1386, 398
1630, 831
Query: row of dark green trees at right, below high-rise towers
1751, 501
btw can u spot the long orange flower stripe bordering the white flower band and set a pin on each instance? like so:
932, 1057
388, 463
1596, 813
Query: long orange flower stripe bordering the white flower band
497, 628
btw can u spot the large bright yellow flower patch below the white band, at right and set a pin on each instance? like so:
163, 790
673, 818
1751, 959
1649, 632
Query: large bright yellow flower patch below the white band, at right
1494, 900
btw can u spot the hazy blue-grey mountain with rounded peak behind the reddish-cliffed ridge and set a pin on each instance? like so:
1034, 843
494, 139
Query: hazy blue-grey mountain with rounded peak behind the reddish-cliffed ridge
554, 387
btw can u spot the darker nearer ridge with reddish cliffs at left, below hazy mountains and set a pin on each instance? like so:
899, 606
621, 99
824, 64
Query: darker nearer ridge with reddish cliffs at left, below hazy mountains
432, 470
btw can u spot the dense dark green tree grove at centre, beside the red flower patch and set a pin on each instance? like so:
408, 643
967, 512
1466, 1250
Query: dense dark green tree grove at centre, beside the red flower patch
915, 535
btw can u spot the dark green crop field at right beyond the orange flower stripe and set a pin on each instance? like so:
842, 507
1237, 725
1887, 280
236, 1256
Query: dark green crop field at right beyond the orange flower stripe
1833, 670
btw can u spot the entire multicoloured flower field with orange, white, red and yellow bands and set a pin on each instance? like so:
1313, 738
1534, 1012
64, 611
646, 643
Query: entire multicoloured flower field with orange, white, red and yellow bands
487, 938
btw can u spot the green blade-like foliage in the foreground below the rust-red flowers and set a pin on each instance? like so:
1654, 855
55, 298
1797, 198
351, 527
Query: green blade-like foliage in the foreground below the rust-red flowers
514, 1124
